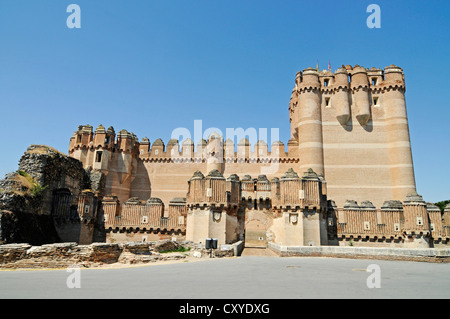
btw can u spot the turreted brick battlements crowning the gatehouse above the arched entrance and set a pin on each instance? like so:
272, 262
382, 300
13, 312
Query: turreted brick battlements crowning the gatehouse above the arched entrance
288, 191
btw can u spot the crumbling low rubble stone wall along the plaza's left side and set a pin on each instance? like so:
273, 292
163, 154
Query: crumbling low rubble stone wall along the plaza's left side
64, 255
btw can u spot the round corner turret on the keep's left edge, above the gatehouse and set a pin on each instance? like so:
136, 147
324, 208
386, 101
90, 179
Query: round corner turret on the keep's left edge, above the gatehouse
307, 121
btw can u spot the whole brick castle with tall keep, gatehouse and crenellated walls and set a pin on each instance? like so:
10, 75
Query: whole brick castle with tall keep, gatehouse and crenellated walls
346, 177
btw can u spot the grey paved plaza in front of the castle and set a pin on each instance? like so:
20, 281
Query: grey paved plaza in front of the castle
246, 277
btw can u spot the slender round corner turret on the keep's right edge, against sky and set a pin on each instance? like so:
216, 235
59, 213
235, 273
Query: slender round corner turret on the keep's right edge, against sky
397, 130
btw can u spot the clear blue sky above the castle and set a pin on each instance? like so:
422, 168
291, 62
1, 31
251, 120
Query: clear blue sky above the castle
150, 66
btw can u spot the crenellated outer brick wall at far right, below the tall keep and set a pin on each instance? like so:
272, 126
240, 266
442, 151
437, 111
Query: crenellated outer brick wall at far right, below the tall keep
412, 222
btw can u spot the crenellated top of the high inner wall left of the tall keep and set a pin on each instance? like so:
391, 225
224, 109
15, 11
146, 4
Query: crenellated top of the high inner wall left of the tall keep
84, 139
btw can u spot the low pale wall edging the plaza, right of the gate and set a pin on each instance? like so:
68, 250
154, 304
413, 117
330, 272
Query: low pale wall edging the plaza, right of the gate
404, 254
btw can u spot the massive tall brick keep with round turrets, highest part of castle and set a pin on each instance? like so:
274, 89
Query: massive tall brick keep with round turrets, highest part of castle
351, 128
